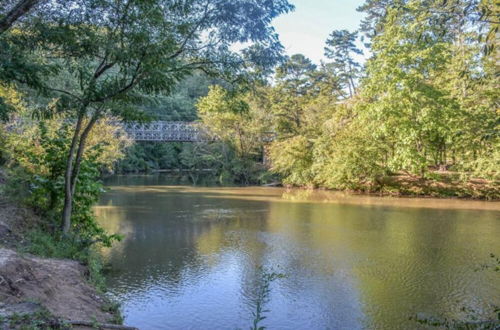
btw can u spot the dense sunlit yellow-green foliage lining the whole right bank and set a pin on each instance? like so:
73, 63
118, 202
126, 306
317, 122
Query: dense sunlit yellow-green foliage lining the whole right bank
423, 110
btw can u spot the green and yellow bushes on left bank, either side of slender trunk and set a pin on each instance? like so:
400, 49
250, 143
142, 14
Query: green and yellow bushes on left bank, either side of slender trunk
36, 153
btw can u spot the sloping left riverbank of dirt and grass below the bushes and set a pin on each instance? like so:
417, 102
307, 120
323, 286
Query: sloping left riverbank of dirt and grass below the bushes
37, 291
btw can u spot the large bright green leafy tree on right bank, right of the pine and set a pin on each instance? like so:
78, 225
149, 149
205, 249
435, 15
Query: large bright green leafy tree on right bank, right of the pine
413, 114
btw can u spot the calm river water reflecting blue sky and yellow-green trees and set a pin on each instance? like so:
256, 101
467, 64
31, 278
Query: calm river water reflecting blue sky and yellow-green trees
192, 258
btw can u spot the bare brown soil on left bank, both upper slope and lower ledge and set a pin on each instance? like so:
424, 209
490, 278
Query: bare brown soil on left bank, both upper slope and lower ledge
29, 284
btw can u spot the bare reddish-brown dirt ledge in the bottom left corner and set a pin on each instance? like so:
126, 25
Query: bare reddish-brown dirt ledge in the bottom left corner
58, 285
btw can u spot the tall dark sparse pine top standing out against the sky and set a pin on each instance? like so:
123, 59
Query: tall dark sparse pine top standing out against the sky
341, 49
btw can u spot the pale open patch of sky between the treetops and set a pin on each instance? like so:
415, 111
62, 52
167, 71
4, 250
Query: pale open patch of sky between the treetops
306, 29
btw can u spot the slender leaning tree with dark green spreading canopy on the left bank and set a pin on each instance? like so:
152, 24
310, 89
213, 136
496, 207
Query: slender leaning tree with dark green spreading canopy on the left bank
111, 52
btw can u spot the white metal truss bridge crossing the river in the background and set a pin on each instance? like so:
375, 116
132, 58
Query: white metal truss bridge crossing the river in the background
167, 131
